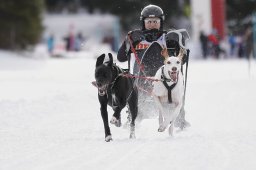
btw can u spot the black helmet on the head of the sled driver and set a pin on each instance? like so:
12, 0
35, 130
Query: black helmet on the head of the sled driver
152, 11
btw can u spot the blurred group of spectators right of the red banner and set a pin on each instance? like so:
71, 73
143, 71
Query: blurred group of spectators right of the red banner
235, 45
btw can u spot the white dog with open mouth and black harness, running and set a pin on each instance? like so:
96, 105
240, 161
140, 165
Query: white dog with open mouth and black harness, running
168, 93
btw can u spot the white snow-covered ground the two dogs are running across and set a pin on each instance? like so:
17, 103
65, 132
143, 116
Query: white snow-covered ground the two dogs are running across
50, 120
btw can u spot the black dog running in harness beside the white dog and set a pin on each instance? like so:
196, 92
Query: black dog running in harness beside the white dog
116, 91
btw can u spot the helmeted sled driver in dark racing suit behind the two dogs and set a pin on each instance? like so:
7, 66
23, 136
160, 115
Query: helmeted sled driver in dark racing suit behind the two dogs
152, 21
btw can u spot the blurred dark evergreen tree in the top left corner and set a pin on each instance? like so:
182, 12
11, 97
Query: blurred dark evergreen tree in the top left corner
20, 23
